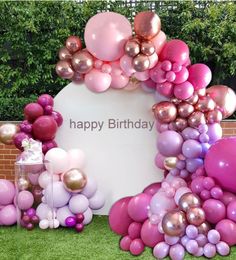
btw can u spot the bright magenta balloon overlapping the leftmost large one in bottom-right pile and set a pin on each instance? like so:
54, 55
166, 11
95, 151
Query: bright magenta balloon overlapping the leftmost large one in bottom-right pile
138, 207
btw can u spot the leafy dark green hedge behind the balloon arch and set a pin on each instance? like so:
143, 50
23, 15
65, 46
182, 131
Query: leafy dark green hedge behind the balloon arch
32, 32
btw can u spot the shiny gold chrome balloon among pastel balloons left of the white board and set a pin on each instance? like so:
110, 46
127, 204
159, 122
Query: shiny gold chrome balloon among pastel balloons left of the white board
74, 180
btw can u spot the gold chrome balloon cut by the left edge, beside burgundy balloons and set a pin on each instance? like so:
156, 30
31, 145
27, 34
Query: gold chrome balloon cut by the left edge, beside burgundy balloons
7, 132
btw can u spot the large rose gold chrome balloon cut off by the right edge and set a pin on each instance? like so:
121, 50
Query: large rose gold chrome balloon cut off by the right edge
224, 98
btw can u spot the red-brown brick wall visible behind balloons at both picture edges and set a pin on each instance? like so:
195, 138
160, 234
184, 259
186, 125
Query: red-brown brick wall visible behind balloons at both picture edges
8, 153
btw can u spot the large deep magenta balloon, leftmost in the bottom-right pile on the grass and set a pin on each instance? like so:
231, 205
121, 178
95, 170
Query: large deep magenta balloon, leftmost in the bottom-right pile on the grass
119, 219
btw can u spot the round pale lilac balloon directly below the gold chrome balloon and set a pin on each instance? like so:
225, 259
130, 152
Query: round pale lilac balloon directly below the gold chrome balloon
78, 204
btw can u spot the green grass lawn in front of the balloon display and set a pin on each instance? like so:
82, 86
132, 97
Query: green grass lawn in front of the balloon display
96, 242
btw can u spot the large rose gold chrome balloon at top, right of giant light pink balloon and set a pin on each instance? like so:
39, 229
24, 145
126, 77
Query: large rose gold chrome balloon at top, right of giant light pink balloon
147, 25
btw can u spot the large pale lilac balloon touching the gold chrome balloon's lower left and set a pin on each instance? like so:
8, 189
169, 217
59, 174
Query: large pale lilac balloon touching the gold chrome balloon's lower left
56, 195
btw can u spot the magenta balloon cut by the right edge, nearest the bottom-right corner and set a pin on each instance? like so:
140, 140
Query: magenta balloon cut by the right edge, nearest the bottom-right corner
227, 230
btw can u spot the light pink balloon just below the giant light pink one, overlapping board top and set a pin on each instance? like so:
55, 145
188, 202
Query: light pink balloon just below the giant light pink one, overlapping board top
97, 81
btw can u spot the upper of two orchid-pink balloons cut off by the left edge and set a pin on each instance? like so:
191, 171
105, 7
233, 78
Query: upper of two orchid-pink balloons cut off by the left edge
7, 192
